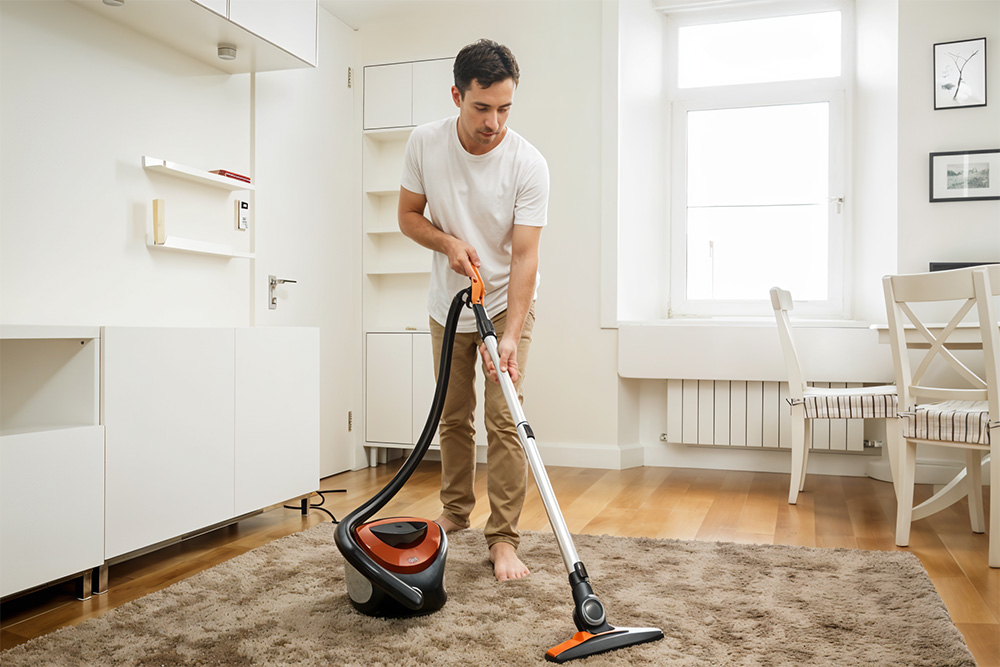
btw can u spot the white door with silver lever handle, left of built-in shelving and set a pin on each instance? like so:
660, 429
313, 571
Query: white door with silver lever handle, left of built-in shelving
307, 223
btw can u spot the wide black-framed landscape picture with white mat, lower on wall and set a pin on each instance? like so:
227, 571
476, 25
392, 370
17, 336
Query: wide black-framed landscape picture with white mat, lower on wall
965, 175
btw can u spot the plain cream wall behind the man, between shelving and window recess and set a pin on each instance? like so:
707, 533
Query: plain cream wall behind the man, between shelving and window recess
570, 387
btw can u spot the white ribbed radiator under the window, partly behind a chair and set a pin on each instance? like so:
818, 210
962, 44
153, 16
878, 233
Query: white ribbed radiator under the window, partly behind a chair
740, 413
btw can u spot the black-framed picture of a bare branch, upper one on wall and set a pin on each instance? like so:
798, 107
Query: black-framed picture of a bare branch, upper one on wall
960, 74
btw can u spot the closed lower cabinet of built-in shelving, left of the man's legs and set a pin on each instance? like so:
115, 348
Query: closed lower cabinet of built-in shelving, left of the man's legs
399, 387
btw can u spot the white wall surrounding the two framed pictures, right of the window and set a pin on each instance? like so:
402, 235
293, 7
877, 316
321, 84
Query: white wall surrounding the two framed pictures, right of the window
943, 231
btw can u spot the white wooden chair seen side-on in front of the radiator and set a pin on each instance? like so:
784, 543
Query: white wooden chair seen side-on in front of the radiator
808, 403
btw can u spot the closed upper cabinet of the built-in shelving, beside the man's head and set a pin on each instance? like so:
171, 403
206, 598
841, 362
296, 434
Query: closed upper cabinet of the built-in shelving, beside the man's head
408, 94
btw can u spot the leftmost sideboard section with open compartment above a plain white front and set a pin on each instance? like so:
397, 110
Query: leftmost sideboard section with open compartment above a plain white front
51, 450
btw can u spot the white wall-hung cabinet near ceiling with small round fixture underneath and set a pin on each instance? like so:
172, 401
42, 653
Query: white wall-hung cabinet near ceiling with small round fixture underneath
267, 34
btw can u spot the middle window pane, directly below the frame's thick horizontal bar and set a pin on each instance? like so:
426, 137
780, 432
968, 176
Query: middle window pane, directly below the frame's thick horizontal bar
759, 155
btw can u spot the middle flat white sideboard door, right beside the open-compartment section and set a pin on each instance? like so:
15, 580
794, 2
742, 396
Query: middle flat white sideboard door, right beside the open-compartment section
168, 416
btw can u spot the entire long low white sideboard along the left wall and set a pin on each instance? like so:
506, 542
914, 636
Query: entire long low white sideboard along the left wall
135, 437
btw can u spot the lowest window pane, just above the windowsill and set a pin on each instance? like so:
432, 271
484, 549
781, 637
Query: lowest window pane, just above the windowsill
739, 253
